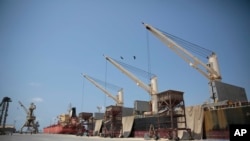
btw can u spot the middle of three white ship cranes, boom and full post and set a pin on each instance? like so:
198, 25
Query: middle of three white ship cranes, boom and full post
152, 89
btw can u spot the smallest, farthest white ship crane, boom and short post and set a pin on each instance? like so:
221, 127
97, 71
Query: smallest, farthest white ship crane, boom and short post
118, 99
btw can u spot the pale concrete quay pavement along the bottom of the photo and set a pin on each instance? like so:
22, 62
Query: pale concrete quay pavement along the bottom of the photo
53, 137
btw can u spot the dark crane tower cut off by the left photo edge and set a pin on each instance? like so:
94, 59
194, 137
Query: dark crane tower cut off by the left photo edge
4, 106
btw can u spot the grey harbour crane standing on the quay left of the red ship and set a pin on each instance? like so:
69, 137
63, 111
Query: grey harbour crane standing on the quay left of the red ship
30, 118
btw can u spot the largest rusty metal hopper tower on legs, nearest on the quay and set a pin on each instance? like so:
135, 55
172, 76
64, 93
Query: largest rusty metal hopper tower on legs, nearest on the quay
171, 104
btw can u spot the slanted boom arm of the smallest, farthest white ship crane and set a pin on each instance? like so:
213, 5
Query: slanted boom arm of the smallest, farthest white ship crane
117, 100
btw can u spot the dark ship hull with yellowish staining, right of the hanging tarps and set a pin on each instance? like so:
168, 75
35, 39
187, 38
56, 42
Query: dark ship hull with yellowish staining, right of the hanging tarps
217, 122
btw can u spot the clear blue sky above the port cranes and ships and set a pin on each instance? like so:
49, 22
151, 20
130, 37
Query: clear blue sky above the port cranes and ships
45, 45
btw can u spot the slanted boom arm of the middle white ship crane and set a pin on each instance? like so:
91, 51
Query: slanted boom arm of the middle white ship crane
130, 75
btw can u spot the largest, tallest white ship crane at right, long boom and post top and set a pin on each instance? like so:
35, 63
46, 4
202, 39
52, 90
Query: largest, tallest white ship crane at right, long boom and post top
210, 70
